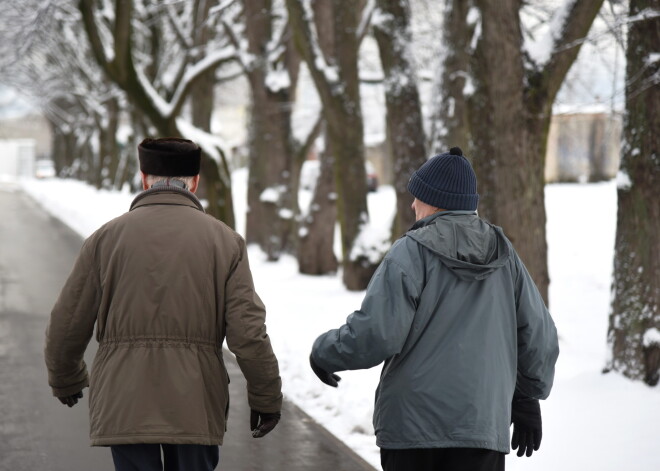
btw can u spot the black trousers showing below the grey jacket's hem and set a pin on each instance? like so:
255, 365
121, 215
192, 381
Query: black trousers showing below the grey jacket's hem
441, 459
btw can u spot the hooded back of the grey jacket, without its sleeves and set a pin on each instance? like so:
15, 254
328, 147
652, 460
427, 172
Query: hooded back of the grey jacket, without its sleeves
454, 377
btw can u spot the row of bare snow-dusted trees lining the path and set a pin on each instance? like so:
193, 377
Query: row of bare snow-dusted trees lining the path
157, 65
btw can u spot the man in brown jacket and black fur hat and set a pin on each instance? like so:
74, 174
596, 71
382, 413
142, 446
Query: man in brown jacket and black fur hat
165, 284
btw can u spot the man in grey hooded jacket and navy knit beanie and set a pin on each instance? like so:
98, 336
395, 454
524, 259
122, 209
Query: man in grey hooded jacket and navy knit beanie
468, 344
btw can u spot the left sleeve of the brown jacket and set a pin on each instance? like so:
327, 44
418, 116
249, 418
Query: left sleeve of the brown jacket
71, 327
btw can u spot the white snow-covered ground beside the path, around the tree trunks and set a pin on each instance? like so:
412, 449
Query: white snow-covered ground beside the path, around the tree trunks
591, 421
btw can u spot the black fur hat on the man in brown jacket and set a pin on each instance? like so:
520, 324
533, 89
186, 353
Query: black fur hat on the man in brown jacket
169, 157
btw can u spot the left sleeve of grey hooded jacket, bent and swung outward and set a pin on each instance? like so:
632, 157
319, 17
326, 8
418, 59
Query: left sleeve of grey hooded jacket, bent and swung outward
380, 328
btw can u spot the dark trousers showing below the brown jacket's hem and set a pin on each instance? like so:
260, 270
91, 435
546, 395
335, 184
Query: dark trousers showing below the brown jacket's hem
147, 457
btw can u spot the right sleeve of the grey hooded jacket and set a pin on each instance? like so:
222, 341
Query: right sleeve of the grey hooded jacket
538, 346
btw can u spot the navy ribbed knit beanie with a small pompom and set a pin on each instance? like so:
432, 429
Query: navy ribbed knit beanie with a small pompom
446, 181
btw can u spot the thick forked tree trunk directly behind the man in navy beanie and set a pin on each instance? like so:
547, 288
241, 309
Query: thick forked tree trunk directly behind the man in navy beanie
509, 113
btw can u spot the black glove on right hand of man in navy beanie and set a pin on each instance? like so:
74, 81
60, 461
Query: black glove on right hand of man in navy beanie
527, 428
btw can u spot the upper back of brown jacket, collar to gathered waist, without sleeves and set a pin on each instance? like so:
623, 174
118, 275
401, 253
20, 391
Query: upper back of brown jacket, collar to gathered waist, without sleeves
160, 266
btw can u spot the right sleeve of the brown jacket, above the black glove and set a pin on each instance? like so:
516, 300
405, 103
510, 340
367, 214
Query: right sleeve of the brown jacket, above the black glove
245, 317
